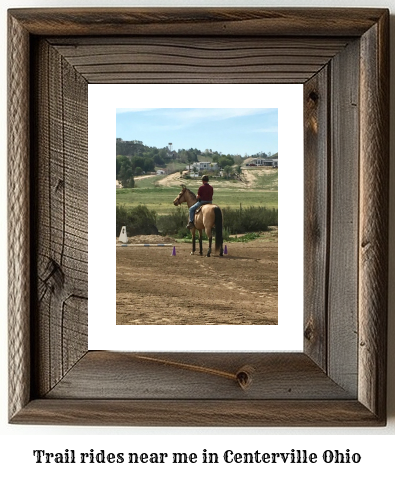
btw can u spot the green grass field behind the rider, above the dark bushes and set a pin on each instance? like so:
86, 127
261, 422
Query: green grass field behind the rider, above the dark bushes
226, 193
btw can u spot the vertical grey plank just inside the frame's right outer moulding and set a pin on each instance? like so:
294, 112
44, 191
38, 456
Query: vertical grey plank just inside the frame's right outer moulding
344, 217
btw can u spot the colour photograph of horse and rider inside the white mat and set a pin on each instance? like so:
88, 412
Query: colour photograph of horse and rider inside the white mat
197, 216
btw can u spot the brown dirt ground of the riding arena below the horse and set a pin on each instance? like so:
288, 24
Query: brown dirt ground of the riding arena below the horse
155, 287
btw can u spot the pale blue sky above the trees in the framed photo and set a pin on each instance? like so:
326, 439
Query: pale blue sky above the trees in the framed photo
226, 130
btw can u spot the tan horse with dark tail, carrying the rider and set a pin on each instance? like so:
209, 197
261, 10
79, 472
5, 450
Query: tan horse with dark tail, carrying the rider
206, 217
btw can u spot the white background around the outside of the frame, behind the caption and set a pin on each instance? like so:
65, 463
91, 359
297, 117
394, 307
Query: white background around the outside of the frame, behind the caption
18, 442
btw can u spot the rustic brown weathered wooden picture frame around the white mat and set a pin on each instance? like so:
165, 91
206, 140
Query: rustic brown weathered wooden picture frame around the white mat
342, 58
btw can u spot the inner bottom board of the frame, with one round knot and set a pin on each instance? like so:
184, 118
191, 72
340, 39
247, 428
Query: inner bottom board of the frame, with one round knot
196, 375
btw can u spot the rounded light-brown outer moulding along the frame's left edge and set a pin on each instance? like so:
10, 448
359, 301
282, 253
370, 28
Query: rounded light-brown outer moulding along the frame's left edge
18, 218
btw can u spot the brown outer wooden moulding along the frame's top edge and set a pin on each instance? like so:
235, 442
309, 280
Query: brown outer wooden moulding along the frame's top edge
260, 22
